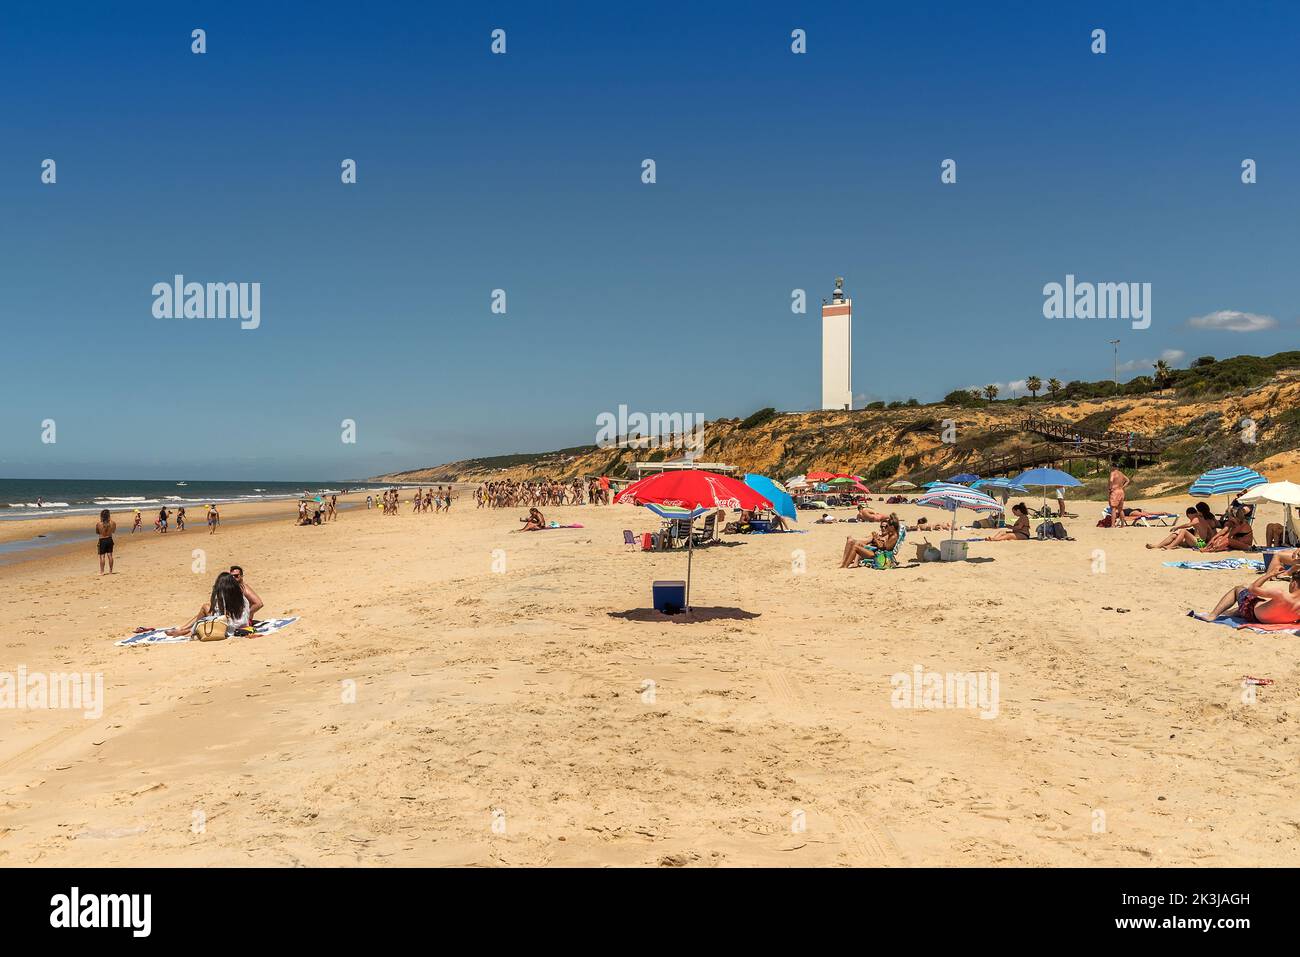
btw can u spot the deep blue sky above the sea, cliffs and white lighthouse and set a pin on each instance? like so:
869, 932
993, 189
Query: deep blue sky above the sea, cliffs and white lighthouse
523, 172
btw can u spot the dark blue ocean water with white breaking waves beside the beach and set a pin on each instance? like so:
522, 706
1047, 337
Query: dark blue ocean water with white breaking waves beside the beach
20, 497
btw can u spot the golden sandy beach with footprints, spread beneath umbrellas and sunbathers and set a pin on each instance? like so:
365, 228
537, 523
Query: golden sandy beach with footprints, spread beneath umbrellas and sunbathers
461, 695
